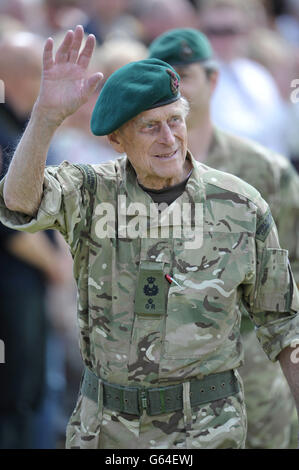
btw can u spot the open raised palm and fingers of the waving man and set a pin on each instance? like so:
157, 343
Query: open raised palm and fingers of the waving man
65, 85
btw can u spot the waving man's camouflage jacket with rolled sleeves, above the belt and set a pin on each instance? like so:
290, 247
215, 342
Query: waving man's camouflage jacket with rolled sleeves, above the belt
193, 328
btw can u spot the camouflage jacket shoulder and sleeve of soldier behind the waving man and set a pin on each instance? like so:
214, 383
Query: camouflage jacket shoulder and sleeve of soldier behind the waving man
271, 174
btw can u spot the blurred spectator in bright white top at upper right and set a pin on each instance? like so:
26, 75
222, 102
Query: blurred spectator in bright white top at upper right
254, 115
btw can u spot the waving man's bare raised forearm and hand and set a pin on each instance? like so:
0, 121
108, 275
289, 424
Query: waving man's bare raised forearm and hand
65, 86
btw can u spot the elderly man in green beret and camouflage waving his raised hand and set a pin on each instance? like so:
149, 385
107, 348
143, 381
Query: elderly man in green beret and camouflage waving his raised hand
157, 286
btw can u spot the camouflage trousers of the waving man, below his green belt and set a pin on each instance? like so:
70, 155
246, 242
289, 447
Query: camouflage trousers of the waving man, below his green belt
217, 425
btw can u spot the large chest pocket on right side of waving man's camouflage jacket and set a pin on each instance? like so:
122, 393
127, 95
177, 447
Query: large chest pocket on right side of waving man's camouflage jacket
201, 311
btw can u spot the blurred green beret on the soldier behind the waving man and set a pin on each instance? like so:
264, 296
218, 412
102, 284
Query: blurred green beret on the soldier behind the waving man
181, 46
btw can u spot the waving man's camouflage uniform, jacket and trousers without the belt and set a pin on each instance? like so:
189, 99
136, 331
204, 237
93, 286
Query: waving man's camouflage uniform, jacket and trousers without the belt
198, 333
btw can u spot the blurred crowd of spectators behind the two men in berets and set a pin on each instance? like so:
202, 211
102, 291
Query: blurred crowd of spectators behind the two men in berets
256, 44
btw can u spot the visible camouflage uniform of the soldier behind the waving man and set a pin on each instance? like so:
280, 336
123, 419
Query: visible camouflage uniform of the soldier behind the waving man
271, 413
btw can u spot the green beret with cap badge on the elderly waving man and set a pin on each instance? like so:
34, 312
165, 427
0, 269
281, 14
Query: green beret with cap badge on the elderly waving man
132, 89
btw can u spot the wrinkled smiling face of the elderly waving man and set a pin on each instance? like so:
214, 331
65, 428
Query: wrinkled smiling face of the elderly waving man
155, 142
